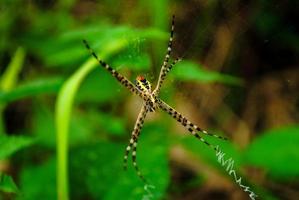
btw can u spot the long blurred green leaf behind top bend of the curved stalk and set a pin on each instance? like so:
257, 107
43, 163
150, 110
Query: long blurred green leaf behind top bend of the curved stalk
67, 49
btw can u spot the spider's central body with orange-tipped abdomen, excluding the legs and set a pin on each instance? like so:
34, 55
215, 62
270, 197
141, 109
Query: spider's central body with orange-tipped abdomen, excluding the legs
145, 86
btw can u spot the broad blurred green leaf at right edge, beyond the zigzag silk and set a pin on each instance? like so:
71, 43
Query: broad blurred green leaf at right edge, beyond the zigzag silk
276, 151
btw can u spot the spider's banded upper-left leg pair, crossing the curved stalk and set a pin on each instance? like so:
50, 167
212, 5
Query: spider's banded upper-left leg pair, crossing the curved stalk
122, 79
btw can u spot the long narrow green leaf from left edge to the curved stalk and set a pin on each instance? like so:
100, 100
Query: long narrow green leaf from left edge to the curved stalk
33, 88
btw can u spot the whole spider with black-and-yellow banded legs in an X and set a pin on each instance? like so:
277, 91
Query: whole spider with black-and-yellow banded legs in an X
152, 102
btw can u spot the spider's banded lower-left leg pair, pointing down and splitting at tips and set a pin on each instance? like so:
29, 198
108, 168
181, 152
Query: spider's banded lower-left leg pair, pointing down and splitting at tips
134, 140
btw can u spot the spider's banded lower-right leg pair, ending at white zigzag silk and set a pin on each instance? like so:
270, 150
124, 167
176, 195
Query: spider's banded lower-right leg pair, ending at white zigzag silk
191, 127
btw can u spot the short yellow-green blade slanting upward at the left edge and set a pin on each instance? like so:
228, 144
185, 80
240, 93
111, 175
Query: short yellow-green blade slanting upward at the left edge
9, 79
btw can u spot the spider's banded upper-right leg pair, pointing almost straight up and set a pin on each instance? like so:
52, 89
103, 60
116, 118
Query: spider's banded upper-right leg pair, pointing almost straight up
164, 68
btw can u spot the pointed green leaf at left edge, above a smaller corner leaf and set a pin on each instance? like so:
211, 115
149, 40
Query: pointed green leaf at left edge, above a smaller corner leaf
11, 144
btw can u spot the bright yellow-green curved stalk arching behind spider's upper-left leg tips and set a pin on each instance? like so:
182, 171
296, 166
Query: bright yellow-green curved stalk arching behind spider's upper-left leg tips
63, 111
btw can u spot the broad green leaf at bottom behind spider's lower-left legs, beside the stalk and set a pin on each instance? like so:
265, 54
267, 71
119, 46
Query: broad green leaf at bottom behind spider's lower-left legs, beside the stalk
97, 169
